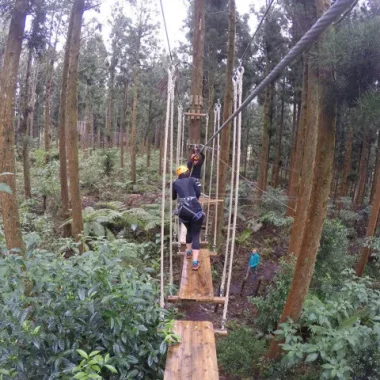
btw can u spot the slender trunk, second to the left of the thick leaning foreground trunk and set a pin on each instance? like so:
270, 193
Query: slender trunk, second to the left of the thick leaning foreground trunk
297, 155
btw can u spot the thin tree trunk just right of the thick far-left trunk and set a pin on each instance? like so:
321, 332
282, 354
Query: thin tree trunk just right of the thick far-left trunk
24, 128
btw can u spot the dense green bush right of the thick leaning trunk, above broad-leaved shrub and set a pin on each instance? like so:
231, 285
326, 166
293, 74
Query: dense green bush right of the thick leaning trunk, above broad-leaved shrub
332, 259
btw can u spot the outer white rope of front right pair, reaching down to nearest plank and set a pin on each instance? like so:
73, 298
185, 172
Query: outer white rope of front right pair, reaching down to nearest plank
239, 75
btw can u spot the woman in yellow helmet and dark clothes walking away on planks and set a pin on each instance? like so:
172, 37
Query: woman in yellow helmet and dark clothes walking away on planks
189, 210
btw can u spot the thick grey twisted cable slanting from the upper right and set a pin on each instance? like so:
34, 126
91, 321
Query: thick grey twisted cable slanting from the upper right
304, 43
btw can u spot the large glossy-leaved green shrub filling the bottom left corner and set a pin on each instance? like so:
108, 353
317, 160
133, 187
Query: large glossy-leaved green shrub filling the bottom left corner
50, 307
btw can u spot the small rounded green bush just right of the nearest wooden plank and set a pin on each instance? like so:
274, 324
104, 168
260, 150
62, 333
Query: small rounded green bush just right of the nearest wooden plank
240, 351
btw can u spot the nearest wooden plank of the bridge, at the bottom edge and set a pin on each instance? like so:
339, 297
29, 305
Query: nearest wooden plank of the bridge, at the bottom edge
194, 358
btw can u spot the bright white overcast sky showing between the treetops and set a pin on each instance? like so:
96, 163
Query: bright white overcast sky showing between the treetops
175, 13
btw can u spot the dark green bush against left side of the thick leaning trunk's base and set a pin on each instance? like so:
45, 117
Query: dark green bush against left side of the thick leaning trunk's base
270, 306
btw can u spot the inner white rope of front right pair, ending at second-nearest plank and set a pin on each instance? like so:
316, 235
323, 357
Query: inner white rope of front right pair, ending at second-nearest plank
232, 183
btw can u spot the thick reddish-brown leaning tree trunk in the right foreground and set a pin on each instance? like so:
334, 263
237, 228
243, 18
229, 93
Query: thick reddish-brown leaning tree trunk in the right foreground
318, 200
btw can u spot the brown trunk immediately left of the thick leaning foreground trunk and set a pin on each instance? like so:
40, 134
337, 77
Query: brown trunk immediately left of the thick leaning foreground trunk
308, 160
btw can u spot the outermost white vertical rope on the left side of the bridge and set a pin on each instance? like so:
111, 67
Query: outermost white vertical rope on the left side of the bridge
171, 84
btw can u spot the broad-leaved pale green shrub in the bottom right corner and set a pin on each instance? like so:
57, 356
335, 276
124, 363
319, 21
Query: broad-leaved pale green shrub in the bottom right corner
338, 329
